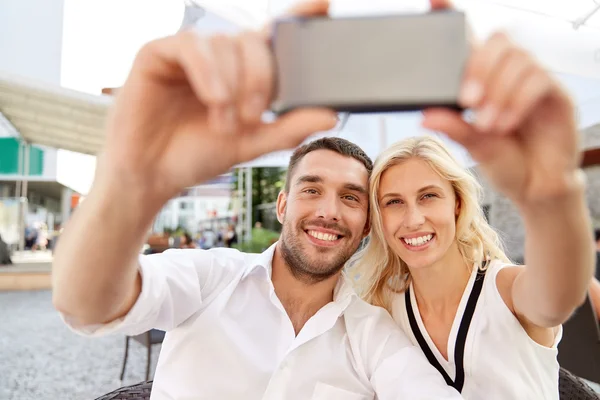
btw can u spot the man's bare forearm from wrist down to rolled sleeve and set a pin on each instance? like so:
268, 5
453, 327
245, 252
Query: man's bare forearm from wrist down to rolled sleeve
95, 271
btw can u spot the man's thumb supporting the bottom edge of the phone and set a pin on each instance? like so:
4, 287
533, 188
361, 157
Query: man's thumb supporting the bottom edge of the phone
286, 132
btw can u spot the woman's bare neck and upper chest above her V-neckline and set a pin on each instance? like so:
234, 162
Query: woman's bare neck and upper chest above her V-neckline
439, 287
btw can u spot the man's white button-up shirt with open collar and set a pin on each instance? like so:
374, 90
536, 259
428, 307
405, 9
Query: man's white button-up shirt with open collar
229, 337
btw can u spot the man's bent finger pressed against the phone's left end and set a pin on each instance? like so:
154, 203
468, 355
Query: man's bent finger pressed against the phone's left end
256, 77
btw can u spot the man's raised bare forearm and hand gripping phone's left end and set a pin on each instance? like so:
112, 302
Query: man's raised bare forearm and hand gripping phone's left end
187, 98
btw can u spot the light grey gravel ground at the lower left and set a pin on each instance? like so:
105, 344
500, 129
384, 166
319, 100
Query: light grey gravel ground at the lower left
42, 360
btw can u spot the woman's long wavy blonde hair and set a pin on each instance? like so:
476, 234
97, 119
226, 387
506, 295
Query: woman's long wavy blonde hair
377, 270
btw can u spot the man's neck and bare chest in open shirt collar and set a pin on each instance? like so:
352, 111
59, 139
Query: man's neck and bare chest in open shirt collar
300, 299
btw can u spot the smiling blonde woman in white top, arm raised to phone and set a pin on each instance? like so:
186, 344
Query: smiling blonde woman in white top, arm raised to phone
435, 264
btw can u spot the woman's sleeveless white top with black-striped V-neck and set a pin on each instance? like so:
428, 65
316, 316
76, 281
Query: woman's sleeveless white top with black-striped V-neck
500, 360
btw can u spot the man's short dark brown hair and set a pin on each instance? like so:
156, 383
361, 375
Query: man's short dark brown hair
335, 144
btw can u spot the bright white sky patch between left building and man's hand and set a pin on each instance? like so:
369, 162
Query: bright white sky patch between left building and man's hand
101, 38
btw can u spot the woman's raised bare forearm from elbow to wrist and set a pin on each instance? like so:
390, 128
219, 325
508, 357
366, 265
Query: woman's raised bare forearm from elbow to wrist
559, 254
